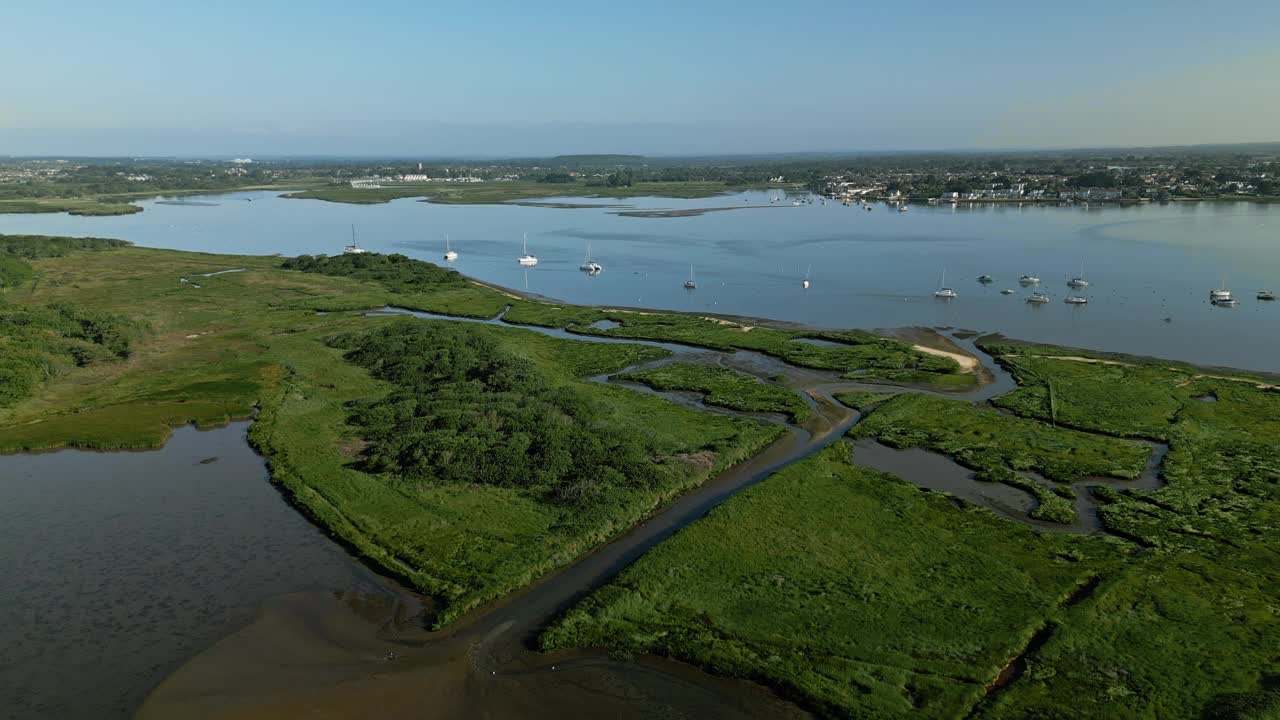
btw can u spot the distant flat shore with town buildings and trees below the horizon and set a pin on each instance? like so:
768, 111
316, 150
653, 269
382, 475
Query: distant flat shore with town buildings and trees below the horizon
1236, 172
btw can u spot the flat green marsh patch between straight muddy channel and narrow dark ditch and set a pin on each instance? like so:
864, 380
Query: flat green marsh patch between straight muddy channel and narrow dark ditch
828, 582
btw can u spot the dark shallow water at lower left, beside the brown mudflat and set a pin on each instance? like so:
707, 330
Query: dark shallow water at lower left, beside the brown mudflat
116, 568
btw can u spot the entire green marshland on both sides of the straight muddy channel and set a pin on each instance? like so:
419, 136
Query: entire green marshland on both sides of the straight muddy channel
469, 459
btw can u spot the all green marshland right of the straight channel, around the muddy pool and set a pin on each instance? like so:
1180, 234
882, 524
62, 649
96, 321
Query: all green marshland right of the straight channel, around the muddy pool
803, 581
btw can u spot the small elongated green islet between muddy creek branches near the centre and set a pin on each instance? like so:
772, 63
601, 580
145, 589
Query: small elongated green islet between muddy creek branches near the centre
724, 388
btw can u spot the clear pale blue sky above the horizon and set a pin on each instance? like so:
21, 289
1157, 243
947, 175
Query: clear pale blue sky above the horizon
689, 78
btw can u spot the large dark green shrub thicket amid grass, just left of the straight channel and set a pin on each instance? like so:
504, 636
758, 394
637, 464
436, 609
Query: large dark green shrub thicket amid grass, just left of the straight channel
463, 411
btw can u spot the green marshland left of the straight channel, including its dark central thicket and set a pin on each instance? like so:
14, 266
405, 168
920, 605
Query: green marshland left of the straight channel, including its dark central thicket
360, 444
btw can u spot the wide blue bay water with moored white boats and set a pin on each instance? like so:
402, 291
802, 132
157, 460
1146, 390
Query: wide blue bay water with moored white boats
1151, 266
